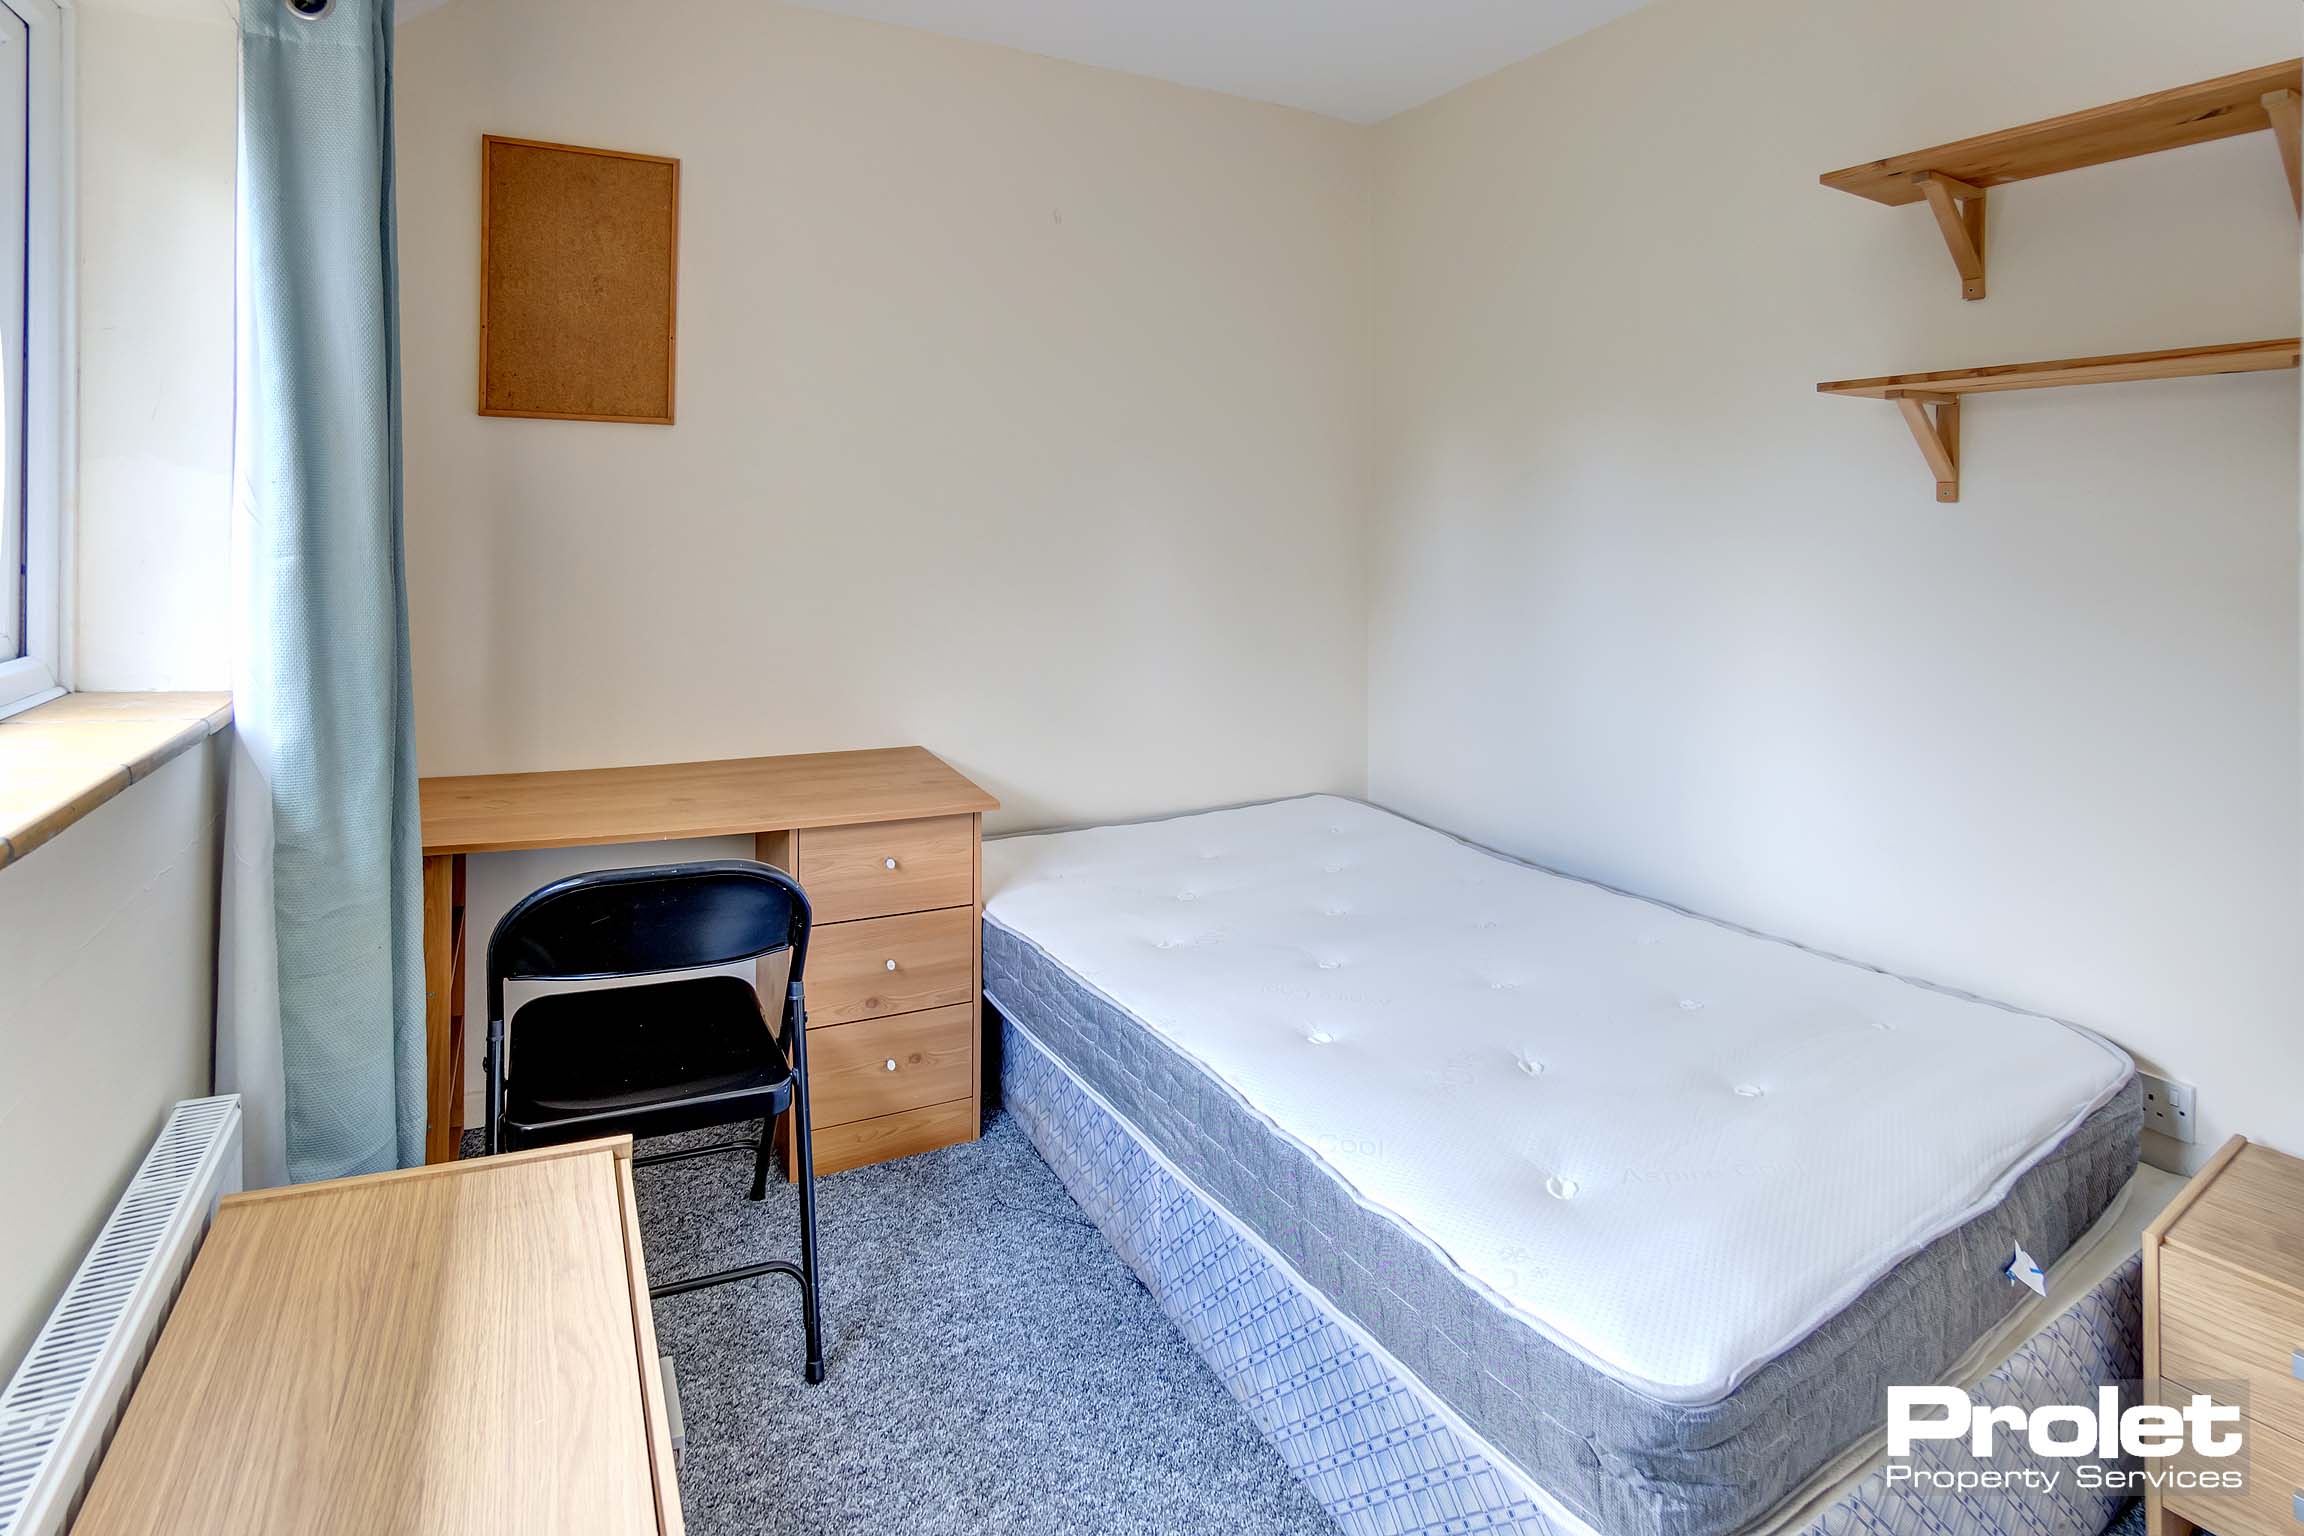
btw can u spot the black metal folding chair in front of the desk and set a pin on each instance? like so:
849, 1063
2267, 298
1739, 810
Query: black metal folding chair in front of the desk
662, 1056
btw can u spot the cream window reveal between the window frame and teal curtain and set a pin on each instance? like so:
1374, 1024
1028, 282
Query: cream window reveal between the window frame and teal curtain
158, 86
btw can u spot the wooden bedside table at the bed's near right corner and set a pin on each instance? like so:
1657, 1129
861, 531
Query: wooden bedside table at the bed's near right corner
2225, 1305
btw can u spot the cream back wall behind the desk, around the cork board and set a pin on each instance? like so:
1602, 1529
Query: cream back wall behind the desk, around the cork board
1024, 413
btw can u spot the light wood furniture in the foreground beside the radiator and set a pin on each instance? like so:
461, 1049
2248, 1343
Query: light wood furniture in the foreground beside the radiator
448, 1351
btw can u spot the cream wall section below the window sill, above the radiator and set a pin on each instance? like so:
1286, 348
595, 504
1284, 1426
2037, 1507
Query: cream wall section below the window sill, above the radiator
109, 952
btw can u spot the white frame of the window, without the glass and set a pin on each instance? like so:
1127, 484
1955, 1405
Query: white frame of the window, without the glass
47, 335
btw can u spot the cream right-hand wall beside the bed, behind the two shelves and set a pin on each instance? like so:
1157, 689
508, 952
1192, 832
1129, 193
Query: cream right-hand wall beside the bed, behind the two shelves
1649, 609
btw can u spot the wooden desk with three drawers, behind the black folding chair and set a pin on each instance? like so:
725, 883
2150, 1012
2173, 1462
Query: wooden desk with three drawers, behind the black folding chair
888, 846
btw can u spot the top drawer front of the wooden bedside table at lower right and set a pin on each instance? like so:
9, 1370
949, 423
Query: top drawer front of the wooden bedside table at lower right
2225, 1325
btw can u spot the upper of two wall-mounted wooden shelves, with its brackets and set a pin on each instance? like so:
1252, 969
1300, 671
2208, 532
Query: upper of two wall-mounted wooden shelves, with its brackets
1955, 178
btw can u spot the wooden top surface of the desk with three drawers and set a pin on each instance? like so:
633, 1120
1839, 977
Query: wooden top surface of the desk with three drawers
692, 800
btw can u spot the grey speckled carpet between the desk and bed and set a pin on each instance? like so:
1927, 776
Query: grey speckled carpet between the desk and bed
994, 1367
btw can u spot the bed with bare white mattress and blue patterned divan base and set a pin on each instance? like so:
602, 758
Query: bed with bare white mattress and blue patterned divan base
1637, 1210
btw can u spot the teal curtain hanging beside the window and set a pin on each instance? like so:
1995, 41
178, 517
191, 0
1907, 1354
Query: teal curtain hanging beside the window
324, 1024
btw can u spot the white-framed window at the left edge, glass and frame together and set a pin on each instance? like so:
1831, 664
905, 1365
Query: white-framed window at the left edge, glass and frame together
31, 349
